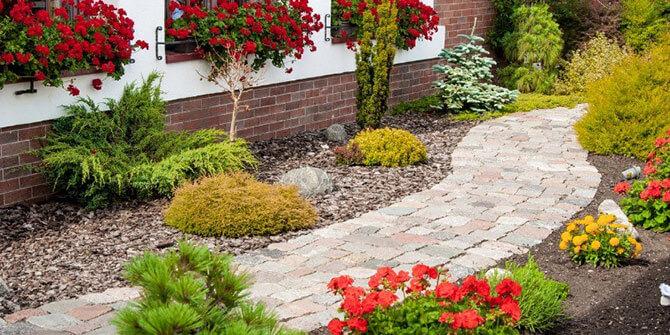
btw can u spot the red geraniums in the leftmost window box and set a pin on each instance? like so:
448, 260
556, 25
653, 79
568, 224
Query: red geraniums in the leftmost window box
39, 45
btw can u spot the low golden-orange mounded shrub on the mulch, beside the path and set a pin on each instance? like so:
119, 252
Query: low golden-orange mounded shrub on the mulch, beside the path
235, 205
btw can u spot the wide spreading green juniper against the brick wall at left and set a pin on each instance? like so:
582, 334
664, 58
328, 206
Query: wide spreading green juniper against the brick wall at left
98, 157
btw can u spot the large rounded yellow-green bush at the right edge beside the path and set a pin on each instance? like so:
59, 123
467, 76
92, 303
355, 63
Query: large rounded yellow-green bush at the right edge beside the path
628, 108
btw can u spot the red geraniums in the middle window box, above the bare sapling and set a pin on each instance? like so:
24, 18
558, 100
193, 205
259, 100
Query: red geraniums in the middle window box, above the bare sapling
267, 30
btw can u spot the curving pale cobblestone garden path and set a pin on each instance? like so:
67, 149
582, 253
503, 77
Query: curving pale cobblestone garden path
515, 180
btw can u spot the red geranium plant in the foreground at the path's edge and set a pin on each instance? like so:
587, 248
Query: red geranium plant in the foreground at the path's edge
400, 303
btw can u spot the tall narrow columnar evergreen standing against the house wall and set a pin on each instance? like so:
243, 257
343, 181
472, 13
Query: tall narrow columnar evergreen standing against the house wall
374, 62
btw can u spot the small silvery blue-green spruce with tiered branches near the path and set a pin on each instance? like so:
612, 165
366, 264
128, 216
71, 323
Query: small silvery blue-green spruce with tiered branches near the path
466, 86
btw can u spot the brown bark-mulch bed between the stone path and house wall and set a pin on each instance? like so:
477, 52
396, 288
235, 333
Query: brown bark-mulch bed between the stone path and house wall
72, 252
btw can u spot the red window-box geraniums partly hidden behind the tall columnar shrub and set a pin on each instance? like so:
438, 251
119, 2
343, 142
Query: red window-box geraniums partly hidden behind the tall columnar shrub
415, 20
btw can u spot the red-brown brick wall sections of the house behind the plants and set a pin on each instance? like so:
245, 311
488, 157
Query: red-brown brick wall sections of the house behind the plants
276, 110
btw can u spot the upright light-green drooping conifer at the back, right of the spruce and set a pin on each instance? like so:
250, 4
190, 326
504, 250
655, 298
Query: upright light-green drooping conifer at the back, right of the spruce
535, 46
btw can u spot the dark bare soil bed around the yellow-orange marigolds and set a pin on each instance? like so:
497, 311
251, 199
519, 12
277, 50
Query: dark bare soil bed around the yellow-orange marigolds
622, 300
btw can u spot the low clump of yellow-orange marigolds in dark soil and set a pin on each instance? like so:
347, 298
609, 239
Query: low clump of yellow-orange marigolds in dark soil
599, 241
